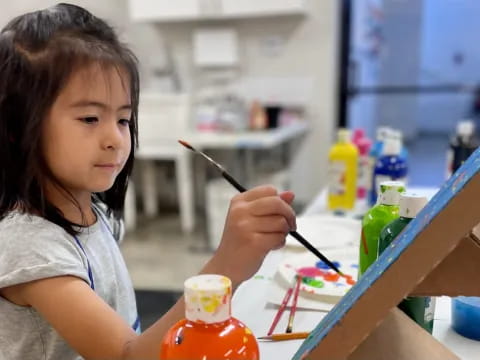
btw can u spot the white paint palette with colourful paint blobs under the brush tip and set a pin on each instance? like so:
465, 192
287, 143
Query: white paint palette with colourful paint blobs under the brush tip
319, 281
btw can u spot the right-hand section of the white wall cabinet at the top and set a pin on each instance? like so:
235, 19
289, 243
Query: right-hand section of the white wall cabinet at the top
243, 8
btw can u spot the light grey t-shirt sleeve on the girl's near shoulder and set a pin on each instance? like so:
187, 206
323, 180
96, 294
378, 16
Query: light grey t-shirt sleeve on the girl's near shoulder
36, 250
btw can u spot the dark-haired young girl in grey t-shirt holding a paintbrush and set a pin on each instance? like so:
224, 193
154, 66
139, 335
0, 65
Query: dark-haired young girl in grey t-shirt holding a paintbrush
68, 123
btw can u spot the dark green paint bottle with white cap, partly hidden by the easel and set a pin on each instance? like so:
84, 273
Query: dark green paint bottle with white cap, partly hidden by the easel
419, 309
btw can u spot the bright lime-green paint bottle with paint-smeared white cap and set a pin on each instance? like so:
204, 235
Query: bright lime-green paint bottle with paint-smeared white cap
376, 218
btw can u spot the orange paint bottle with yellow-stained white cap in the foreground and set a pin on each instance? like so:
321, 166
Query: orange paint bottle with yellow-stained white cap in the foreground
209, 332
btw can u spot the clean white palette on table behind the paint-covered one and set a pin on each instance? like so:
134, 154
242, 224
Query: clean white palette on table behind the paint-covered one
327, 231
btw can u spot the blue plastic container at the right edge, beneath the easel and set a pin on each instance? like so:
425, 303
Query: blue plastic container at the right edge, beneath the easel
466, 316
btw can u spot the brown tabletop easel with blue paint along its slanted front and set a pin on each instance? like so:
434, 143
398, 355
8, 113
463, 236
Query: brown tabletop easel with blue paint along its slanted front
441, 258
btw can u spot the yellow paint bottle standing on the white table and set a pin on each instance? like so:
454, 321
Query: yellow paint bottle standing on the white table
342, 173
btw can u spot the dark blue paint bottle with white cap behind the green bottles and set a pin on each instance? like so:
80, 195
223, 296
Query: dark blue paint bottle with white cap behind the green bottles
391, 166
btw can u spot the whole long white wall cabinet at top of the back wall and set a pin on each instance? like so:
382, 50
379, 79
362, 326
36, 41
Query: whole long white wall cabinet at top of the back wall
188, 10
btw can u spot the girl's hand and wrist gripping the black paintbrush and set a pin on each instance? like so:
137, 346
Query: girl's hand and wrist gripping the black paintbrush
258, 221
